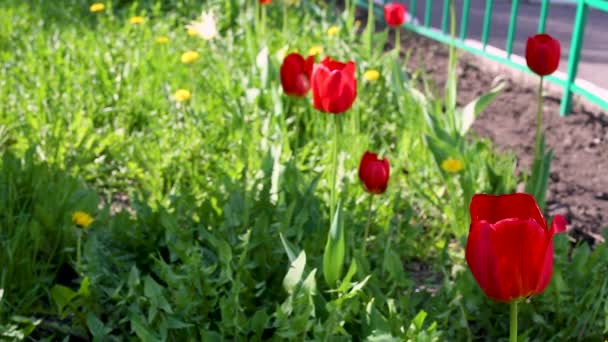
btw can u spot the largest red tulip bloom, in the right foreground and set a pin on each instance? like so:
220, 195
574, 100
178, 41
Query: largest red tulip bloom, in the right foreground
509, 248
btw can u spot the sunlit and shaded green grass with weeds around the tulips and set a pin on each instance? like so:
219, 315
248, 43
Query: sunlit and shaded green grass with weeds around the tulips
225, 191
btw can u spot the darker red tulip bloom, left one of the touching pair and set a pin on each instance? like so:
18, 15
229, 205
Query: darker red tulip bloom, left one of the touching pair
296, 73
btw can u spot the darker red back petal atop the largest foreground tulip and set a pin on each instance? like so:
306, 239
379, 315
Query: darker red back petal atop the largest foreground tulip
495, 208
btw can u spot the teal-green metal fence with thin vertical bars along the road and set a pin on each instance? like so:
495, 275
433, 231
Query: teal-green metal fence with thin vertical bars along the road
567, 83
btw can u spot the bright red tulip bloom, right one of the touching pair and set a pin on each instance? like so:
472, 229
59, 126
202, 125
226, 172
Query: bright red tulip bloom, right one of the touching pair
334, 87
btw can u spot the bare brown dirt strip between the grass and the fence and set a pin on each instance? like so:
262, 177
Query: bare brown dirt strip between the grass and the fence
578, 187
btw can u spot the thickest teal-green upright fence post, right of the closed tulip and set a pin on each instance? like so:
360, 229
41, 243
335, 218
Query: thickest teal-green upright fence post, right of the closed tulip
575, 53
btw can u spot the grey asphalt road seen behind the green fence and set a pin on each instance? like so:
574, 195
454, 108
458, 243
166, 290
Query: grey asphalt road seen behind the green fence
593, 66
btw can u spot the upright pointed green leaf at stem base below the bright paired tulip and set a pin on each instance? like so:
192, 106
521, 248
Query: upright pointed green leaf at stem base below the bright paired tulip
333, 257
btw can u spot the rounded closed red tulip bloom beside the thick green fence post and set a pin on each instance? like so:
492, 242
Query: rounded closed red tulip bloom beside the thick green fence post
542, 54
